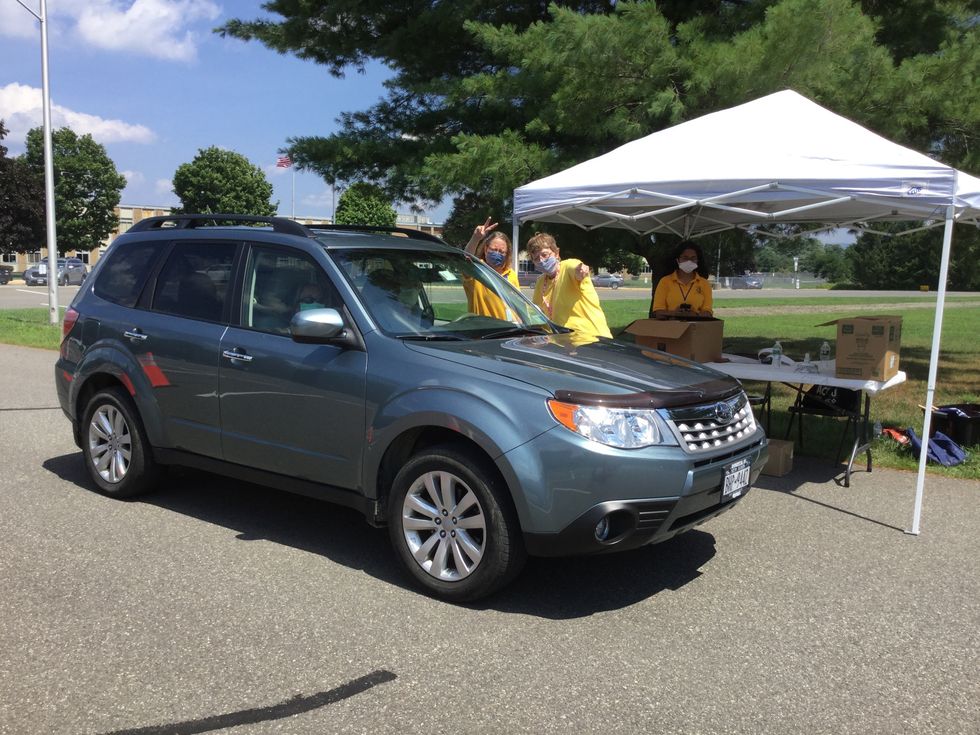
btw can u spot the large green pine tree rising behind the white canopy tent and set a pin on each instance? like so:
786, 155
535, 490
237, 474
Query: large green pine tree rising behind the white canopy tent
520, 93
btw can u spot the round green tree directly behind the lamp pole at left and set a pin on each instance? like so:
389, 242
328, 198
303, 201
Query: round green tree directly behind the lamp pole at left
87, 187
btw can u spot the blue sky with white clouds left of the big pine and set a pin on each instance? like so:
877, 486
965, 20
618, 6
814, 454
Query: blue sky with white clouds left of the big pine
151, 82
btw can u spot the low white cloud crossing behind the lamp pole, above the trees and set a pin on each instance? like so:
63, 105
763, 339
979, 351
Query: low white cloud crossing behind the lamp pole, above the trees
21, 106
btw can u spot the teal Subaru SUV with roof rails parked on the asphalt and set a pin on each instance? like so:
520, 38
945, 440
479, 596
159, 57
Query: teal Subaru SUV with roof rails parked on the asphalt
391, 373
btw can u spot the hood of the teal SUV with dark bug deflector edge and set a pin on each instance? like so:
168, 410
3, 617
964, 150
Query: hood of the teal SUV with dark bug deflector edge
604, 370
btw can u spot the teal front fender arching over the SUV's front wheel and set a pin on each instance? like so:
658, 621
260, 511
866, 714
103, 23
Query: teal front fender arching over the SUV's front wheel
475, 418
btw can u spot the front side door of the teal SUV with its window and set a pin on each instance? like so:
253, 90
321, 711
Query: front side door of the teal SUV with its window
287, 407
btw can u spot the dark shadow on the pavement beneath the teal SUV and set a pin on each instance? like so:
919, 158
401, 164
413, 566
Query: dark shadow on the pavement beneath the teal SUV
550, 588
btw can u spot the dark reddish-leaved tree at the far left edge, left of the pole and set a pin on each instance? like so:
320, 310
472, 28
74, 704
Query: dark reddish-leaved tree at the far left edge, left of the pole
21, 203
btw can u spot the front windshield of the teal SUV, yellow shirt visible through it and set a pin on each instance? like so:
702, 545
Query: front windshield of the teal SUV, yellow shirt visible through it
438, 295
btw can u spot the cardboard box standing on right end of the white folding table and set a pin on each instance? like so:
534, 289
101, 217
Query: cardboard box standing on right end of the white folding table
867, 347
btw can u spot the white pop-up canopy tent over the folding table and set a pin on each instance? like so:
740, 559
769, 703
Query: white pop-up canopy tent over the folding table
781, 159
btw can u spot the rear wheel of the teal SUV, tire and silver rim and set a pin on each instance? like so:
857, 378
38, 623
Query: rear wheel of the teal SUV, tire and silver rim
114, 445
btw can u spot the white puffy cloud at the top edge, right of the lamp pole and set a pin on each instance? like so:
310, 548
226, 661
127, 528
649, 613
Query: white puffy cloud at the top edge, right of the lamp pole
151, 27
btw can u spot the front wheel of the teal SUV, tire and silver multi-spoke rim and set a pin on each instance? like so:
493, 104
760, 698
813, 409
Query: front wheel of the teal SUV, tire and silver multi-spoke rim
460, 556
